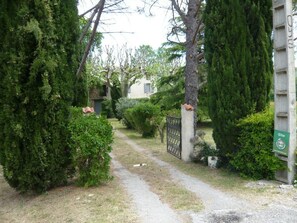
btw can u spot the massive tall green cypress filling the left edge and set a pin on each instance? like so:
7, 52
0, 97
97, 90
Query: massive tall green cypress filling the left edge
38, 51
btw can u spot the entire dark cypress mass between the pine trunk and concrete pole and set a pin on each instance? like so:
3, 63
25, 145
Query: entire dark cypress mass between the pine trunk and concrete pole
238, 52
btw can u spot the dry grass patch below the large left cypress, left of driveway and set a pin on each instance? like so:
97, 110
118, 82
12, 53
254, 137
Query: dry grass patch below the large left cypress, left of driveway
105, 204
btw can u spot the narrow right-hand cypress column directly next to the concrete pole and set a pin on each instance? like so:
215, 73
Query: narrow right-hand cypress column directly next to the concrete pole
259, 21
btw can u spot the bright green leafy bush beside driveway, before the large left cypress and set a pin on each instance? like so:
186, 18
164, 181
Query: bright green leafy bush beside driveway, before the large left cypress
90, 144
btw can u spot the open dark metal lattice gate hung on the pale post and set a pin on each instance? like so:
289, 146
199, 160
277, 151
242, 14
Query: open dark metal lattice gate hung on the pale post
174, 136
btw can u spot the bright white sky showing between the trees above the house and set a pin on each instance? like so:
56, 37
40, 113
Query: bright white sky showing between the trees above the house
141, 29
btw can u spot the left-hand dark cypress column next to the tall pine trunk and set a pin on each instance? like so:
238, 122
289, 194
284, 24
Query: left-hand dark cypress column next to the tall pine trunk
228, 57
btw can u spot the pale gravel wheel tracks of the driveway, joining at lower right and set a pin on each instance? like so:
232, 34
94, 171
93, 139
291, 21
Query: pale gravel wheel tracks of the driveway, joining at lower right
220, 207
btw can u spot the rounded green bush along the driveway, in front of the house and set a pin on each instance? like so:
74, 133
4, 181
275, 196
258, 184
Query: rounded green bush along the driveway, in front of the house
145, 118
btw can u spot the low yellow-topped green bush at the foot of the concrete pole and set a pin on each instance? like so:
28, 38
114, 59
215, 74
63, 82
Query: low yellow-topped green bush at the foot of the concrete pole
254, 157
